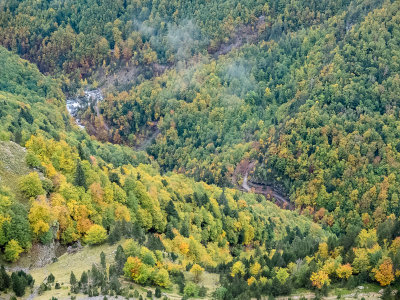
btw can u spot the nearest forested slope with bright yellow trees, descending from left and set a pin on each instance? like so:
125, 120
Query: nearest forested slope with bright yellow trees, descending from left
69, 187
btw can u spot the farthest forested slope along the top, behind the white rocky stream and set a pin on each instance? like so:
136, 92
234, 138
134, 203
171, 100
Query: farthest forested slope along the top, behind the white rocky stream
76, 38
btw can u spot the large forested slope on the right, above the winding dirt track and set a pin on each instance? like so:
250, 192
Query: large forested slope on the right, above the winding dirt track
317, 109
